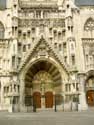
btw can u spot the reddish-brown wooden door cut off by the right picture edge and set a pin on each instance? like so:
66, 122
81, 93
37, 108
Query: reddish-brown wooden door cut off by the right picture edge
90, 98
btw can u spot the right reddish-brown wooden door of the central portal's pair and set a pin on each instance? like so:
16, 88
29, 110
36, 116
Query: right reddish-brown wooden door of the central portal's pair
49, 100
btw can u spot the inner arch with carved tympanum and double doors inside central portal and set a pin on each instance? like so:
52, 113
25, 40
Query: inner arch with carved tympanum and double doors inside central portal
43, 88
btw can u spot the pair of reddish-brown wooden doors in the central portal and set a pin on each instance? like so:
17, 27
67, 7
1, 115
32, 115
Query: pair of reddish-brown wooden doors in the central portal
48, 97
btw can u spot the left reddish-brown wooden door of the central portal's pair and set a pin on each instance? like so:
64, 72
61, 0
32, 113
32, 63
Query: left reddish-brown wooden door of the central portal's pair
37, 99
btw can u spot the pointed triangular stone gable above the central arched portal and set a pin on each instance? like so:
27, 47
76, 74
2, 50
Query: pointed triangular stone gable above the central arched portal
42, 51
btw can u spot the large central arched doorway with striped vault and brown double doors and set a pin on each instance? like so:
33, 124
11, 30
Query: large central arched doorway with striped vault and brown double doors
42, 81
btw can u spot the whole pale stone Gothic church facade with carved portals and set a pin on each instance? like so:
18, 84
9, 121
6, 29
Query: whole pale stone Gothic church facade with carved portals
46, 55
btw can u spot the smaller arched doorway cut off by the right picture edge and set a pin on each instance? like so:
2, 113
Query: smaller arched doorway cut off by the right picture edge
90, 91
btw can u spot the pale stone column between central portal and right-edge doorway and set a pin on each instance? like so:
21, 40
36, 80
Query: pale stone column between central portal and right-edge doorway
82, 96
